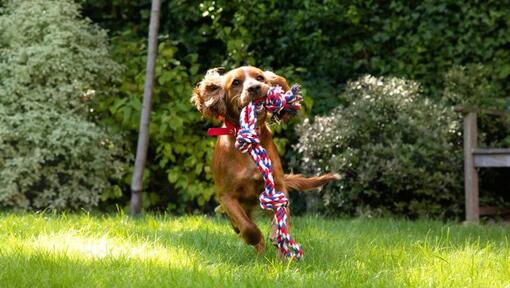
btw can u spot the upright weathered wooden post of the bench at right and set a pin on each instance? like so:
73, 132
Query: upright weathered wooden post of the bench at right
470, 172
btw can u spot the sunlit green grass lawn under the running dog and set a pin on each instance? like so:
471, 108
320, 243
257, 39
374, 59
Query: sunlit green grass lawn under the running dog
43, 250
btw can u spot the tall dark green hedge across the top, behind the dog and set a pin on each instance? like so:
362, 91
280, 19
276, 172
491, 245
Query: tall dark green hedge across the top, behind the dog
328, 43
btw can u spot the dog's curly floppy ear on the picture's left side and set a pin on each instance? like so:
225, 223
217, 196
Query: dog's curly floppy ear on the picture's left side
209, 94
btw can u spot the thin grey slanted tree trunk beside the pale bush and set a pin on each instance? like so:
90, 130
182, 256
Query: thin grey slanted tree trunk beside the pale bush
143, 135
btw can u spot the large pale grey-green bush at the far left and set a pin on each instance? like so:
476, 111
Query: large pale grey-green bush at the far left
52, 64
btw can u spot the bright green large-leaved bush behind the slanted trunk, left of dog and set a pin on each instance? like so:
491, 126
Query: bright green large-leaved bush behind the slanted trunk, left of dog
177, 172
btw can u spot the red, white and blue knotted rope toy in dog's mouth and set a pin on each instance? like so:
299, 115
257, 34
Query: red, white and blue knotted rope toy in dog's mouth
247, 141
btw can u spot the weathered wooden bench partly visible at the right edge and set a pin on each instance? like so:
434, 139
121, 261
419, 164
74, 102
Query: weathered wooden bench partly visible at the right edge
475, 157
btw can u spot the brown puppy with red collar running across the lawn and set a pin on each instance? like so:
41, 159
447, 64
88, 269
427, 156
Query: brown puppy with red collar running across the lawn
238, 181
